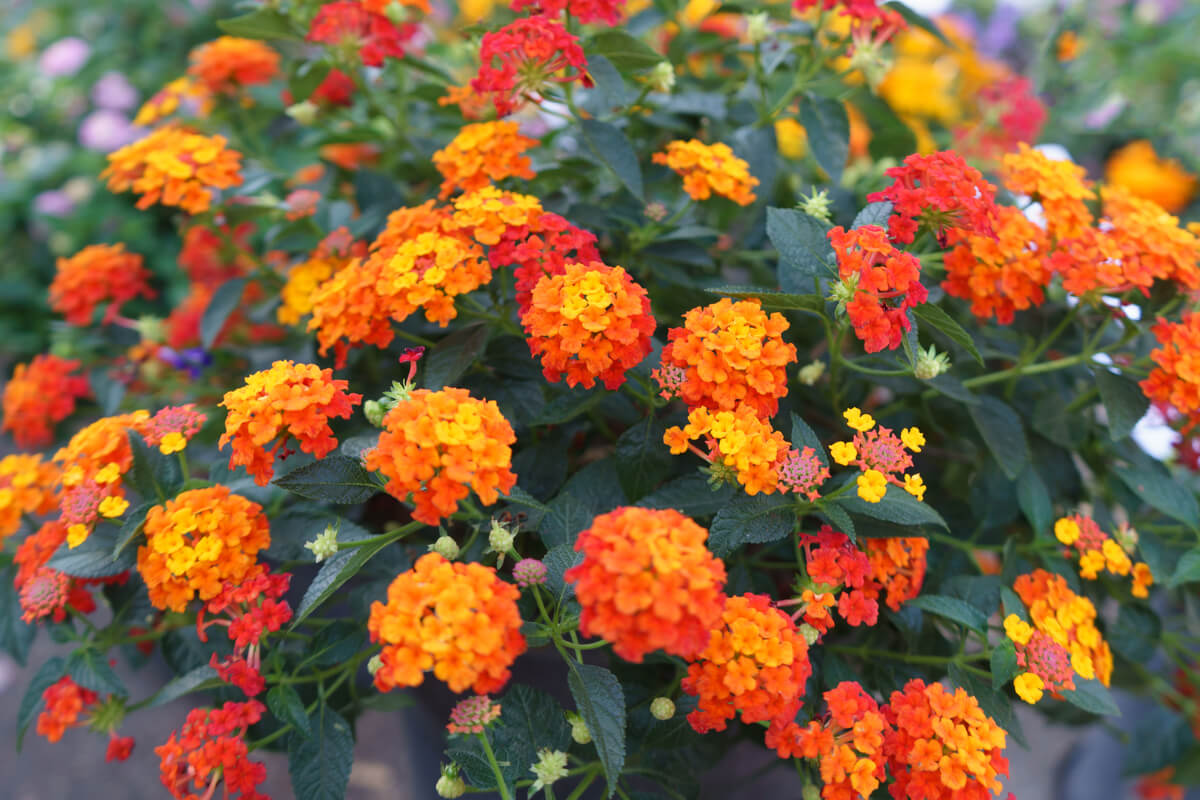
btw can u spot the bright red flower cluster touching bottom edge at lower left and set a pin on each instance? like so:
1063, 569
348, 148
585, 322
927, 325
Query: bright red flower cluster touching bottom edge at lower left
211, 749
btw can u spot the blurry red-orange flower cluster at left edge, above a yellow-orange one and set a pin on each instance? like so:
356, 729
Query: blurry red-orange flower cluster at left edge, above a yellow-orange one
40, 395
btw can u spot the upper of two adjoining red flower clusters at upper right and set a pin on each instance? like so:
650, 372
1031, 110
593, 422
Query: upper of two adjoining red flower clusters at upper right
943, 193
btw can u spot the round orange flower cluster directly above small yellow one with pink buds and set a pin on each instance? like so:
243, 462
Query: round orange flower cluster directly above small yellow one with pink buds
731, 353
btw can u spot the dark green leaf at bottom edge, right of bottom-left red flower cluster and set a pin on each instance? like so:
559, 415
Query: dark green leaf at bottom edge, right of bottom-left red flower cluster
320, 765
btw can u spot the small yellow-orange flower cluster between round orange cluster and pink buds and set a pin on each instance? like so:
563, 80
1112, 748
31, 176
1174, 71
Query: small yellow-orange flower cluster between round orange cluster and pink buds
741, 447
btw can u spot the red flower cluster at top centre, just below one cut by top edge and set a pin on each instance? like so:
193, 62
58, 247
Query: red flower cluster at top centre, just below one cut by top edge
521, 59
